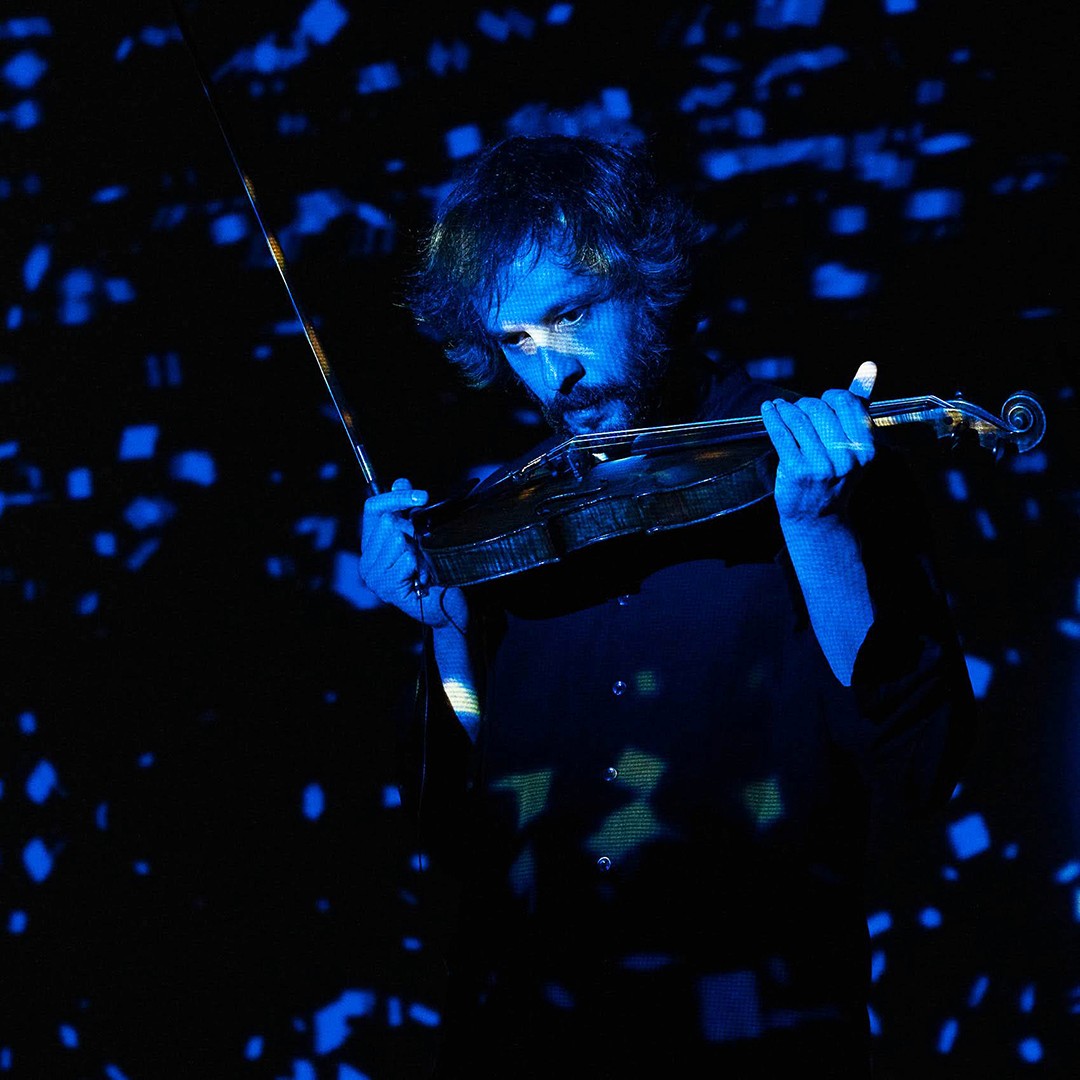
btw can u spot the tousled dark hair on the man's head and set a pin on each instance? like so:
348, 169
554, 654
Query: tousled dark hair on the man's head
599, 202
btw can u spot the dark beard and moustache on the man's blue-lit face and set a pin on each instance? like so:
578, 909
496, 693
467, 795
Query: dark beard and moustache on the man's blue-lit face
628, 404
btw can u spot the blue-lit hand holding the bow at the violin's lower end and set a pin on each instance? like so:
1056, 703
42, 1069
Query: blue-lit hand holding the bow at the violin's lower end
390, 566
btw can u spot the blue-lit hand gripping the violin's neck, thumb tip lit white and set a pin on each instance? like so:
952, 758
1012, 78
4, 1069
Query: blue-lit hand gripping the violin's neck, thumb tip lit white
822, 443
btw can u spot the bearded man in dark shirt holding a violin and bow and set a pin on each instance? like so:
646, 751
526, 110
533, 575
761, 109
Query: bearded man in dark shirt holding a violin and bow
667, 752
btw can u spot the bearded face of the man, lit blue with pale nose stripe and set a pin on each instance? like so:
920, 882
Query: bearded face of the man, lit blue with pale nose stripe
579, 352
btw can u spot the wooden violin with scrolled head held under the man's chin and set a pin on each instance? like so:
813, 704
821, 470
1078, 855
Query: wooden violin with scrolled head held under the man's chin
597, 488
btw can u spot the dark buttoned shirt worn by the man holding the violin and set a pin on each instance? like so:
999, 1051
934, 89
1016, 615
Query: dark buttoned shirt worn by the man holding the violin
663, 827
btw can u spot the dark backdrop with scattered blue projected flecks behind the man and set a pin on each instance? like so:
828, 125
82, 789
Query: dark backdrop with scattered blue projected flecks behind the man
197, 718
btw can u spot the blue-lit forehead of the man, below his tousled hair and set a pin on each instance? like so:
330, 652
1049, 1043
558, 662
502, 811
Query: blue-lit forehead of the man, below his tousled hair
534, 288
